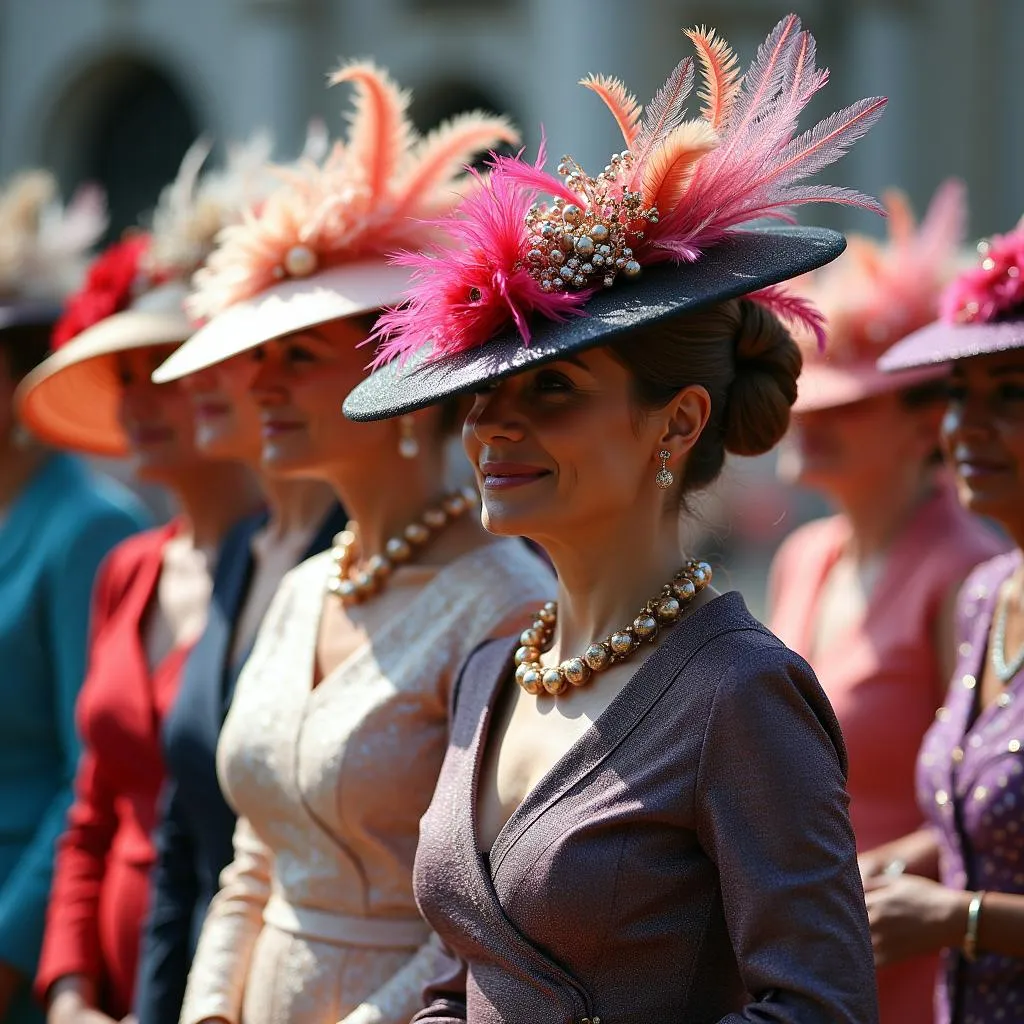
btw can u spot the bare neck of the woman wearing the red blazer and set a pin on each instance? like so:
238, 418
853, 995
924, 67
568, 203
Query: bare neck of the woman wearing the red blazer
212, 497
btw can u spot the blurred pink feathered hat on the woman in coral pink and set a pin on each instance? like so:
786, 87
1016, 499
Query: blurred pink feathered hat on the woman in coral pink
876, 294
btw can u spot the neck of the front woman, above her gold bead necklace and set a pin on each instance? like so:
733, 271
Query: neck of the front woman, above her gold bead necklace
605, 578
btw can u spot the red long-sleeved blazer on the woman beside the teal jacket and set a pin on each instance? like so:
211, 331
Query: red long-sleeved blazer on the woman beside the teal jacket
101, 880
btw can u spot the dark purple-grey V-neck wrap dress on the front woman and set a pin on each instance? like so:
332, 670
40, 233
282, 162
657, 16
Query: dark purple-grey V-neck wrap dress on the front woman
689, 860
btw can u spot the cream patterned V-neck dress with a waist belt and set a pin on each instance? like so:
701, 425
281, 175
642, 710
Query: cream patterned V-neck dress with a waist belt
316, 921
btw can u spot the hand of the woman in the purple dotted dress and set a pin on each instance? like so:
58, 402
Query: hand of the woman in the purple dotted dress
911, 916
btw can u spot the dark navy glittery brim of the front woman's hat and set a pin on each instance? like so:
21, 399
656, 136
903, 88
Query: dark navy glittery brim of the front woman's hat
745, 263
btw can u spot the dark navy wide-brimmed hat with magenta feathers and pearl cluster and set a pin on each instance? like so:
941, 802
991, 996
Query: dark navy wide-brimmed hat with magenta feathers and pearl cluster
664, 230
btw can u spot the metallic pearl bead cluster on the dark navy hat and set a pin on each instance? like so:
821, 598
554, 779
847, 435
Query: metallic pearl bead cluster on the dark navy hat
581, 246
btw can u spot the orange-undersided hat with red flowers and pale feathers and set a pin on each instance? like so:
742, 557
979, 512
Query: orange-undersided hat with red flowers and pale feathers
134, 297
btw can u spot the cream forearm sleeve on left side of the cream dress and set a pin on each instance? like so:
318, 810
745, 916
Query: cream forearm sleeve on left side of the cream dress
218, 982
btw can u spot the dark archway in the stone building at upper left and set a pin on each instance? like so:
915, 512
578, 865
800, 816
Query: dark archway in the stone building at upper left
124, 123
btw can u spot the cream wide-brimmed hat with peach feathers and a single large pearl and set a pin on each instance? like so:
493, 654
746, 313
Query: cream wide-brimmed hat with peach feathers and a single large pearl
316, 251
